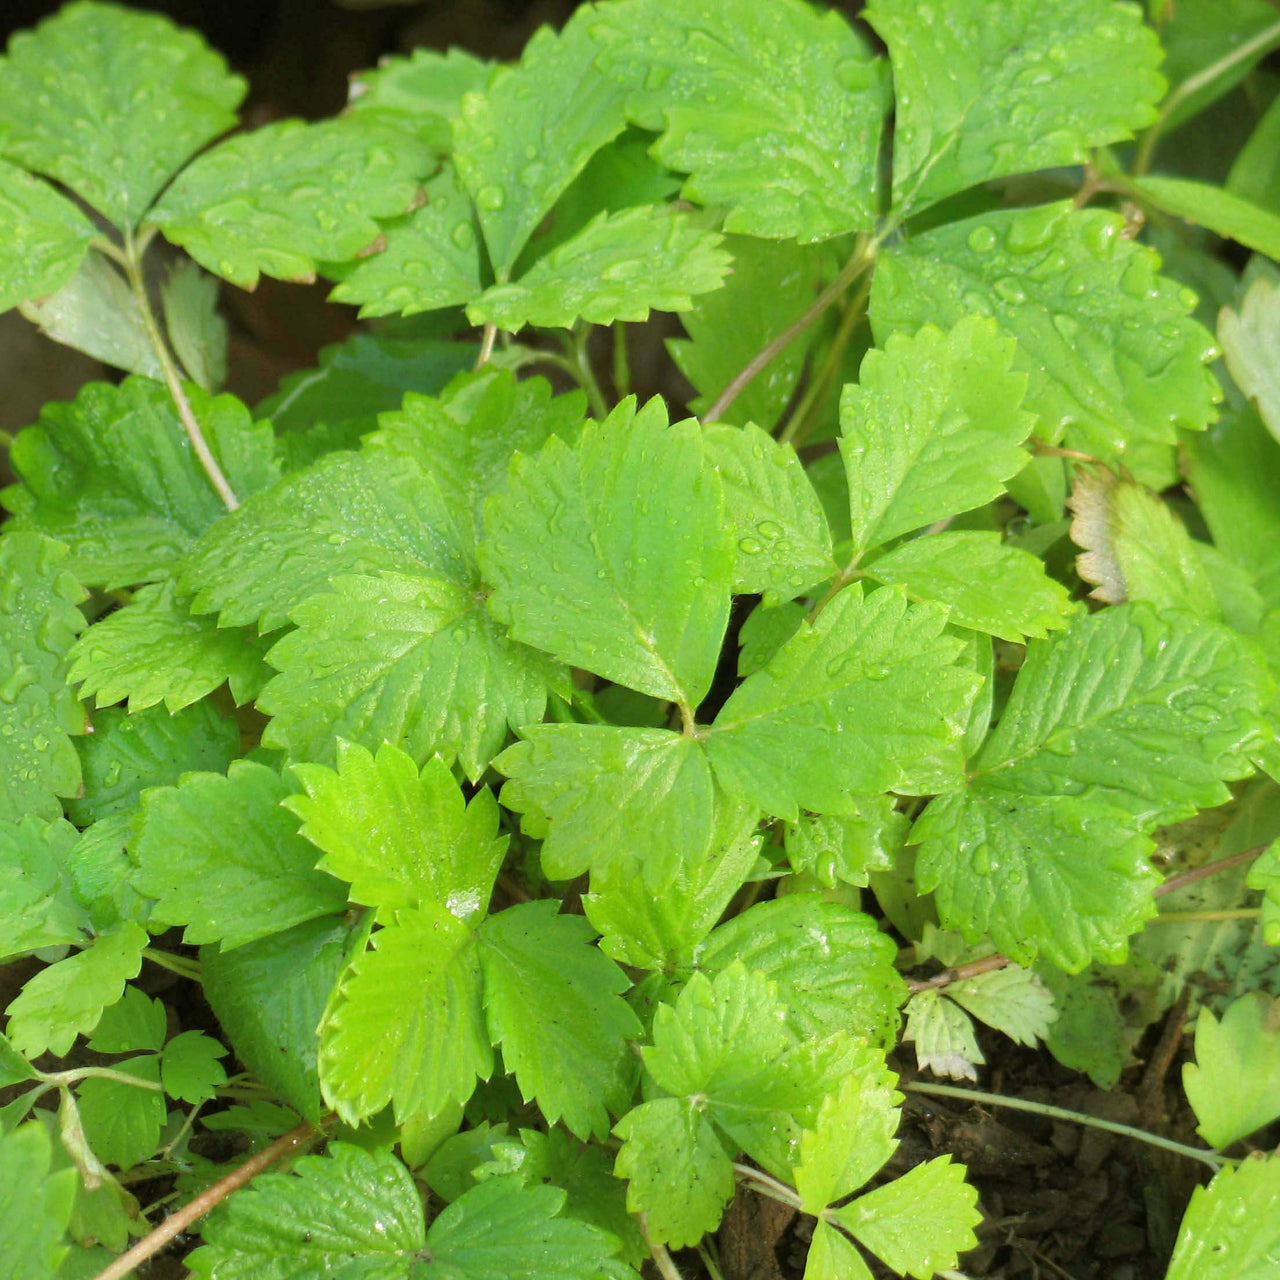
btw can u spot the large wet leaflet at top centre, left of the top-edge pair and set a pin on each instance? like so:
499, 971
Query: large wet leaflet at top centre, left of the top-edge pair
775, 111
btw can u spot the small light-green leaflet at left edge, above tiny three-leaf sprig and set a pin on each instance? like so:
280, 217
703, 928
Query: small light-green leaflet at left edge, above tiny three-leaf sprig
67, 999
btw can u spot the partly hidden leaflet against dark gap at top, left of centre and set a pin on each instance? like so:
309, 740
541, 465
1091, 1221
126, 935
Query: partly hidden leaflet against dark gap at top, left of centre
419, 94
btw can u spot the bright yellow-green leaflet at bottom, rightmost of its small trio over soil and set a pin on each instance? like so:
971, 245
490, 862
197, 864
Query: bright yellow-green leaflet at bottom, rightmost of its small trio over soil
921, 1223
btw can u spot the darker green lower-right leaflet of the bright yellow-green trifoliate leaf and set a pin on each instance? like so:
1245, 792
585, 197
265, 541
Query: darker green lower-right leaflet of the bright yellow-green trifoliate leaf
555, 1005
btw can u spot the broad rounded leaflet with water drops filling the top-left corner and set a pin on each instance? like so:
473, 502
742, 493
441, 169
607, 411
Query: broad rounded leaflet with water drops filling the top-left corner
112, 103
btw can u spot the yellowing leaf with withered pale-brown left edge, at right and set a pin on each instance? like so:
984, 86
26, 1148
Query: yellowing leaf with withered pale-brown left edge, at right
1136, 548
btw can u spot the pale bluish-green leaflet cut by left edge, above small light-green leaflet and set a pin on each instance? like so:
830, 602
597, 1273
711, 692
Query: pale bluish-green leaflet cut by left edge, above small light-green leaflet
38, 906
